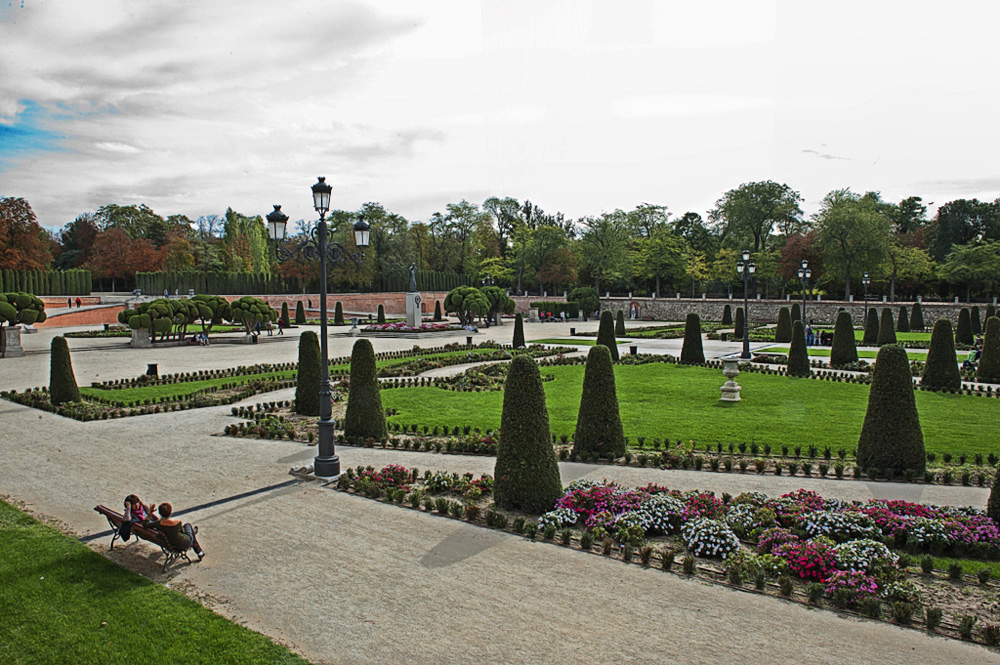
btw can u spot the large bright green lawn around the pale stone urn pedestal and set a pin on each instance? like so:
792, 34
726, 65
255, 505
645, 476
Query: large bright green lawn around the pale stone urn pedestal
682, 402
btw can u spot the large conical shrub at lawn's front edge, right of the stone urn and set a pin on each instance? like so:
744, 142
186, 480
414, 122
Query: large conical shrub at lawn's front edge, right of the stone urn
891, 437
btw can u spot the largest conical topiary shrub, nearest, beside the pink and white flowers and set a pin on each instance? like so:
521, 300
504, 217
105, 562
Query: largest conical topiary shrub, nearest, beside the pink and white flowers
526, 475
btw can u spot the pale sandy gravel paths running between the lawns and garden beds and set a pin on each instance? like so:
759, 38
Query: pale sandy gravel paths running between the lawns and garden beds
345, 580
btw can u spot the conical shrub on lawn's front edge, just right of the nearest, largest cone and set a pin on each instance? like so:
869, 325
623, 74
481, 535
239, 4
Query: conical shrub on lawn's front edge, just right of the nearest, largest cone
599, 424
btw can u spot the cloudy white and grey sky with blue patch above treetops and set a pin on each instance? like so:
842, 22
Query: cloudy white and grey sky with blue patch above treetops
581, 106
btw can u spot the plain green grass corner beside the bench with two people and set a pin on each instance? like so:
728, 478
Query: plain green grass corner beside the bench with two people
64, 603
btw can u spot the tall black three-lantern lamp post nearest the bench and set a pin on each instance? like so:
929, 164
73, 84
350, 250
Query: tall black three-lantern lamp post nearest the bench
316, 247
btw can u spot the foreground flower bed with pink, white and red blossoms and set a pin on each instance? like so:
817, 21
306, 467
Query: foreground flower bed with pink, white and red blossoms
879, 559
